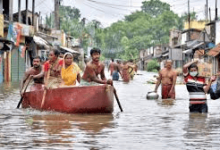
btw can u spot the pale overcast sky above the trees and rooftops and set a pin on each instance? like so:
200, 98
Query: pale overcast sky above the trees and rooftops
109, 11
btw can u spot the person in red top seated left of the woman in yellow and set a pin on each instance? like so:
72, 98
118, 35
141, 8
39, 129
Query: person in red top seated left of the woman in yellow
52, 70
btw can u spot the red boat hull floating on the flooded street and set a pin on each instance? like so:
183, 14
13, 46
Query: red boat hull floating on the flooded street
78, 99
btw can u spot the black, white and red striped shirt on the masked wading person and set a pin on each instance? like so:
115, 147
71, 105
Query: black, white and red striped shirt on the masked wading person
195, 89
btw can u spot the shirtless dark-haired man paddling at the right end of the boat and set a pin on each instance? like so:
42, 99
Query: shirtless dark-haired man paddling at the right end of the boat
93, 69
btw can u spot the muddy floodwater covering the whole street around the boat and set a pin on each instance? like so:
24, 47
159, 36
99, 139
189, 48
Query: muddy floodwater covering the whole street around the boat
144, 124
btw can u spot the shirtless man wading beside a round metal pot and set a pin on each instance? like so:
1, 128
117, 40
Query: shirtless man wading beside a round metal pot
168, 78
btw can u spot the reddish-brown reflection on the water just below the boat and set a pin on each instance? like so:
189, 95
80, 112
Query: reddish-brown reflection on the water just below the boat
66, 127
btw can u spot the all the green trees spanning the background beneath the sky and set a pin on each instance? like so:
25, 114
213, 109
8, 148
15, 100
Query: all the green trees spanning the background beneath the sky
123, 39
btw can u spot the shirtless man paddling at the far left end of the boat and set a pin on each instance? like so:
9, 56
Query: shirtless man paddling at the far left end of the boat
36, 69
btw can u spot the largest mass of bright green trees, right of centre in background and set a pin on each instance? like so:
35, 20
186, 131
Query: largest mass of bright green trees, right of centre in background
139, 30
